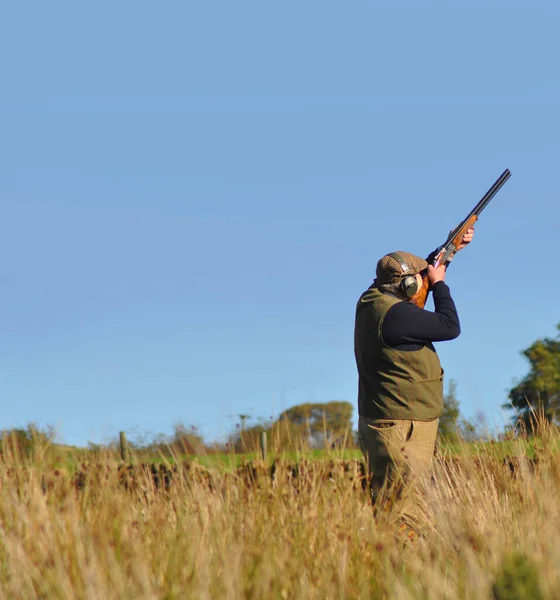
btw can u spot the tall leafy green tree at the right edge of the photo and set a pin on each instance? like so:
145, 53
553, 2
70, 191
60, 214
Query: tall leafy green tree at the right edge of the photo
538, 393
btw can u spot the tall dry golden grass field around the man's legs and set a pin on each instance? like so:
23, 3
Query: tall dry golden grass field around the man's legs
491, 529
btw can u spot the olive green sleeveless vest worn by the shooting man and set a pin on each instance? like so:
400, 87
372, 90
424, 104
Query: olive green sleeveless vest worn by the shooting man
393, 384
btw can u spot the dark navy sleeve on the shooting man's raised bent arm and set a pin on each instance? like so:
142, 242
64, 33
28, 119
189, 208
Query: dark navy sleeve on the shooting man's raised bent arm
405, 323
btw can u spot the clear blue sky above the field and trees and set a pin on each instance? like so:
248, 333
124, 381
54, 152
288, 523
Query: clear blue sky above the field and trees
194, 194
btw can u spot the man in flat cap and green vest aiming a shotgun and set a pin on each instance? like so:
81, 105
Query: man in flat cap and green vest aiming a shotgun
400, 390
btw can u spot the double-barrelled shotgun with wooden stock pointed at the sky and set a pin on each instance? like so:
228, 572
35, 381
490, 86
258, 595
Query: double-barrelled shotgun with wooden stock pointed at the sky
444, 254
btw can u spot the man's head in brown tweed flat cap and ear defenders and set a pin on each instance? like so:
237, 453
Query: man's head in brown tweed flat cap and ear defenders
398, 267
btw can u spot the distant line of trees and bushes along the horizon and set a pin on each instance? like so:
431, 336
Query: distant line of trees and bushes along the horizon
329, 424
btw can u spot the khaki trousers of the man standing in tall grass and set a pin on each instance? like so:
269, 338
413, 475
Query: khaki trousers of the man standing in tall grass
398, 453
